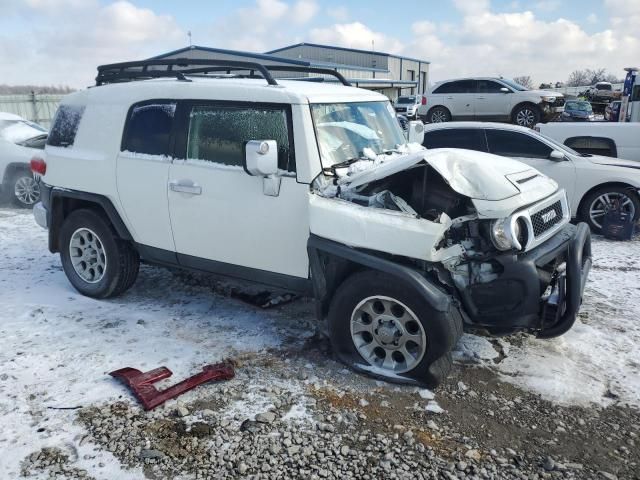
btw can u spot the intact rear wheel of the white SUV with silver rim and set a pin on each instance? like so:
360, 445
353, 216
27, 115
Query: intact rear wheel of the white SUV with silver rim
96, 262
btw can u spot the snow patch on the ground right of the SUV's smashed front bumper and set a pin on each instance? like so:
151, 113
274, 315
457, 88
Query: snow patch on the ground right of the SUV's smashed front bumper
598, 360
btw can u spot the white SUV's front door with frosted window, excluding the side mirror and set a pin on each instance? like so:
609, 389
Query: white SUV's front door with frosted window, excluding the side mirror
221, 219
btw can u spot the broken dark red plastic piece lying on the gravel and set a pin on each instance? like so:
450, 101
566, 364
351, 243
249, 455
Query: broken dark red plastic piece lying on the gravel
142, 383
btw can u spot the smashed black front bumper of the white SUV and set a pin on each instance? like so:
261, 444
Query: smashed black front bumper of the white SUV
539, 291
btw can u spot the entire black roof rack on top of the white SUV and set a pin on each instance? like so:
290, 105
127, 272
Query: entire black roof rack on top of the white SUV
180, 67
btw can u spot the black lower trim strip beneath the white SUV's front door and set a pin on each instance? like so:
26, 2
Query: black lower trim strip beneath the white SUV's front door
286, 282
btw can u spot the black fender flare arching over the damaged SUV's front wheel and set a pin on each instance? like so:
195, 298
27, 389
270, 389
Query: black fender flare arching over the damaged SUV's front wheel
436, 297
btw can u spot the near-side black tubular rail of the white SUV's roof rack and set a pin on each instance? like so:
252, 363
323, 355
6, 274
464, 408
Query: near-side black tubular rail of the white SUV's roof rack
128, 71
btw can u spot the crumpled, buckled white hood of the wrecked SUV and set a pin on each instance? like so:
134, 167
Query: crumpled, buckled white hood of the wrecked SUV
476, 175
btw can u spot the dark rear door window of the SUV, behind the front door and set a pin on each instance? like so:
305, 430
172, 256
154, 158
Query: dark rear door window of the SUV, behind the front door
148, 128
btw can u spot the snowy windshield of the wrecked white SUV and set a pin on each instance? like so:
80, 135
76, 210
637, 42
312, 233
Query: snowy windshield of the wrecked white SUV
344, 130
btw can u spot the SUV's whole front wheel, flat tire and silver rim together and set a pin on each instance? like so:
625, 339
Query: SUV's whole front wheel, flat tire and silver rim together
379, 325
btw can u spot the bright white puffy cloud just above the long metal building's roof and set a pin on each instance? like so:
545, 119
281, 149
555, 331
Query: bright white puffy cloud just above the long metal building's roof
355, 35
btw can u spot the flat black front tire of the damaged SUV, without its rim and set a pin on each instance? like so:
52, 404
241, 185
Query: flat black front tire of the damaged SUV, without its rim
442, 329
